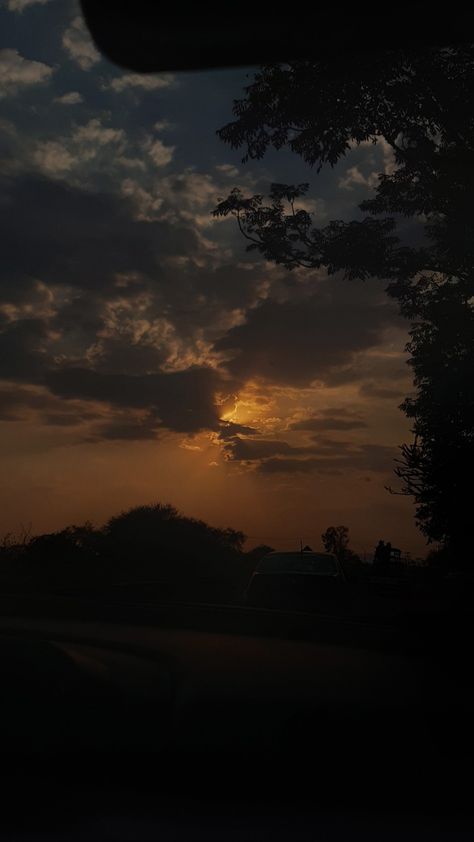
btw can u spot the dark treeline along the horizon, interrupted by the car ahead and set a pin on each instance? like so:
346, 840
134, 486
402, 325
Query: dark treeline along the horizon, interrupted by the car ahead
157, 544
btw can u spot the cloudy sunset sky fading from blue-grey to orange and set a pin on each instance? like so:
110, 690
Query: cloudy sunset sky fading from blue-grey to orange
144, 354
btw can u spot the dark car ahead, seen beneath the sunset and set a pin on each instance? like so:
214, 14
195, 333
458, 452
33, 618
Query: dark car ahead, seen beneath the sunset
303, 579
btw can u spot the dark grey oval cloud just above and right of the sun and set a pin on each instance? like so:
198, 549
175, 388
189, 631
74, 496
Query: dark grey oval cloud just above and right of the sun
307, 339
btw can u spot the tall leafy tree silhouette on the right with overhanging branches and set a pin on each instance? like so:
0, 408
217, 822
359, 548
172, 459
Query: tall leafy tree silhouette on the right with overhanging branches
422, 105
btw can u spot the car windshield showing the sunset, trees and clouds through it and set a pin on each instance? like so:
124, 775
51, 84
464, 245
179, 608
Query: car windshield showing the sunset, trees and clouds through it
227, 327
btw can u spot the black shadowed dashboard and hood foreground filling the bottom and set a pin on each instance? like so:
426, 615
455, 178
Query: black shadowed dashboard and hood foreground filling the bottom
258, 724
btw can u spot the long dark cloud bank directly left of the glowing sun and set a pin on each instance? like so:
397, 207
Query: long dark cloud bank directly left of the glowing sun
182, 401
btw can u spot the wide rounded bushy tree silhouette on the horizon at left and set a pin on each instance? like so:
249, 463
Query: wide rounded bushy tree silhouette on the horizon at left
154, 542
